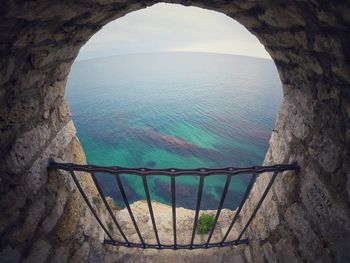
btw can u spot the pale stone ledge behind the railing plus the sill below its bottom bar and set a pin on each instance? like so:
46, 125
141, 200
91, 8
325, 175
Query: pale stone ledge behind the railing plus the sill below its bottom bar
163, 218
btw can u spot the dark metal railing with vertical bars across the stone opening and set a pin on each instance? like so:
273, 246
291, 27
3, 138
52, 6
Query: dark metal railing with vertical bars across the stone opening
173, 173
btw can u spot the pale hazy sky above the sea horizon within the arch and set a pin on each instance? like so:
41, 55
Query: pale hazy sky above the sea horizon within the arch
169, 27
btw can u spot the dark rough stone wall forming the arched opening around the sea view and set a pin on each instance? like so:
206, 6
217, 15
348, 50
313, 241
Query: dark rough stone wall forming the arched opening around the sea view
306, 218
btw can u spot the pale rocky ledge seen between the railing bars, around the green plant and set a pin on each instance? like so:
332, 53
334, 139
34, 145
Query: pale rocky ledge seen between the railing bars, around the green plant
164, 222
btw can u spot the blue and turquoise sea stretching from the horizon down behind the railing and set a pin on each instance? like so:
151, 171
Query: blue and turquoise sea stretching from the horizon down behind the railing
184, 110
